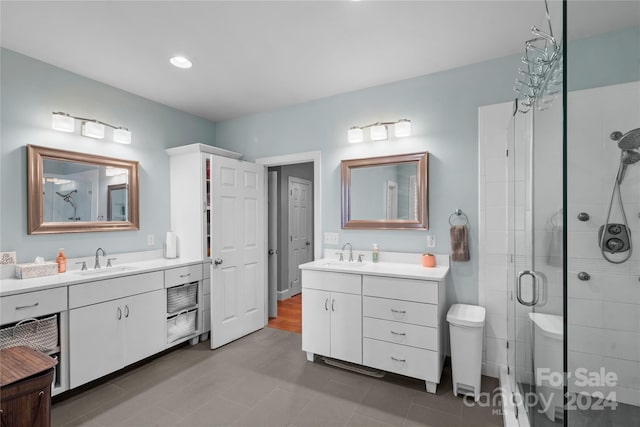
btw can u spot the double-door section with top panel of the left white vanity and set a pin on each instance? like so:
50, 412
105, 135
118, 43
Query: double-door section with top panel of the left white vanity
113, 323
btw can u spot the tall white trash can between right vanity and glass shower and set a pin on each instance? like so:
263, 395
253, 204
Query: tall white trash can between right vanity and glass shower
466, 327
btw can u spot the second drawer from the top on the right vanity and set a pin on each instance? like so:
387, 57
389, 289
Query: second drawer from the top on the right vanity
400, 311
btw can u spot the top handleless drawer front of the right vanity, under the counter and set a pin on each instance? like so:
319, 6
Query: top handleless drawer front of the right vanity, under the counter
407, 289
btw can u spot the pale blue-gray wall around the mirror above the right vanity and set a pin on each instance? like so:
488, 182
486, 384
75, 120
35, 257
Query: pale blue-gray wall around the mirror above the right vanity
443, 108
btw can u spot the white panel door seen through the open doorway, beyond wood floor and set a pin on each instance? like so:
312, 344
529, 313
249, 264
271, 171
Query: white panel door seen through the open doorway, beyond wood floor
300, 219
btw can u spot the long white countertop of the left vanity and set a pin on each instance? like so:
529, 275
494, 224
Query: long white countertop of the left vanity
12, 286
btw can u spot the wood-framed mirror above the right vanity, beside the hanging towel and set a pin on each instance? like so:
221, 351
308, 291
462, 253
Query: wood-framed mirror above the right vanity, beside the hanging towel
388, 192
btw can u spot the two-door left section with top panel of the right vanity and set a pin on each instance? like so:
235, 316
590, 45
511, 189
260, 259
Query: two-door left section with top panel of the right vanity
332, 315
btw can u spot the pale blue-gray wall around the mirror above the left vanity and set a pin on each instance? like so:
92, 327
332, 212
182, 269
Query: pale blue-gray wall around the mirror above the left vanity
31, 90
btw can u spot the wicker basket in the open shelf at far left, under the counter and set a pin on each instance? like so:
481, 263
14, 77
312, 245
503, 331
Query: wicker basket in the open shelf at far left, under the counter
39, 334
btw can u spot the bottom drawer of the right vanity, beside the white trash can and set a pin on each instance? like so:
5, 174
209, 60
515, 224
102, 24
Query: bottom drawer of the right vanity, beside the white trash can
401, 359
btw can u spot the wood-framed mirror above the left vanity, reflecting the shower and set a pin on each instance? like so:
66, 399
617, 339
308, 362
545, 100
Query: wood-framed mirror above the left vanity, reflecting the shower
70, 192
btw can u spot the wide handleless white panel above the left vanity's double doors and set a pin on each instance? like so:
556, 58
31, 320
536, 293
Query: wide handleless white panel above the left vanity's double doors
110, 289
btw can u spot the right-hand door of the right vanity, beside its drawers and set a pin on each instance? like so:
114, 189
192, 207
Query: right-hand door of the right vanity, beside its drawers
346, 327
